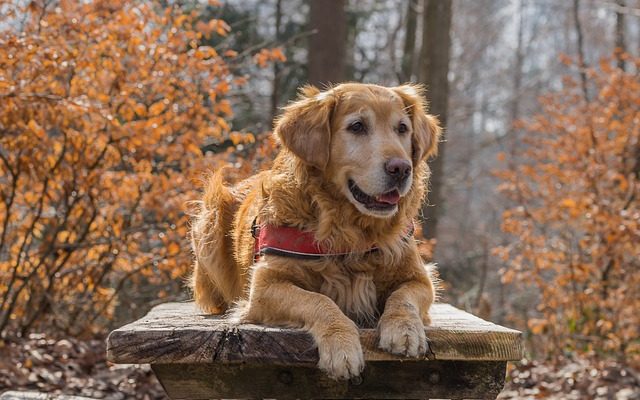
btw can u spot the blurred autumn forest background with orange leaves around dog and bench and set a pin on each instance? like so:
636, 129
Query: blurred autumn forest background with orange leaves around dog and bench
112, 111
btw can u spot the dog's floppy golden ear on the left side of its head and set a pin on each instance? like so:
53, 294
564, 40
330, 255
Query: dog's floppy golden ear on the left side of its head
305, 126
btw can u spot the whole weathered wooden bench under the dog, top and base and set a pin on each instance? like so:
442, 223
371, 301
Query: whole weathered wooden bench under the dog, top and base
197, 356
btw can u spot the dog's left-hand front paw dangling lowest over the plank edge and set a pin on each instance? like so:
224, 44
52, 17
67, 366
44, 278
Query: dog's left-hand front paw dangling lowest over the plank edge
341, 355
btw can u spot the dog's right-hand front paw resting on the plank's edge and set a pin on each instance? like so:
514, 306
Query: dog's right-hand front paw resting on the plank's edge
402, 335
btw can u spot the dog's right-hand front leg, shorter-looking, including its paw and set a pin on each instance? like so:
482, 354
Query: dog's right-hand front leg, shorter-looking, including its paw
401, 326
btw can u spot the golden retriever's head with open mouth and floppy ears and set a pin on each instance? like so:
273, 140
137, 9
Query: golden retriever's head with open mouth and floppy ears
367, 140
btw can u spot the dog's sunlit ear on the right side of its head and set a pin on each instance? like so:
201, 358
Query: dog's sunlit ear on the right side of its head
426, 128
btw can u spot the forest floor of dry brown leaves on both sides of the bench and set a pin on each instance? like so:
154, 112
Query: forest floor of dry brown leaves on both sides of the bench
77, 367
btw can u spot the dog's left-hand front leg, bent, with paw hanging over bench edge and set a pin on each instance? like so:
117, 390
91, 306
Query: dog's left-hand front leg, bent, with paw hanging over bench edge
278, 301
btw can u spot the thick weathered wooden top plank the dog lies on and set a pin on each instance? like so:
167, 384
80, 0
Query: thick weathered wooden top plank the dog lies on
179, 333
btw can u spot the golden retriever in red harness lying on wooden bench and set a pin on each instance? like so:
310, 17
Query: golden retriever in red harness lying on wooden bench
348, 181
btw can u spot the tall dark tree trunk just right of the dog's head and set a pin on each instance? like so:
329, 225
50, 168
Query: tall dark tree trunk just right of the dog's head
434, 56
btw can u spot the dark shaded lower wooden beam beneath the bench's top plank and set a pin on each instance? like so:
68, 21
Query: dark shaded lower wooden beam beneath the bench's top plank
379, 380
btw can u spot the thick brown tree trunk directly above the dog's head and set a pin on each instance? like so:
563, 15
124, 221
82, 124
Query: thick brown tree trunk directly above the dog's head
328, 21
